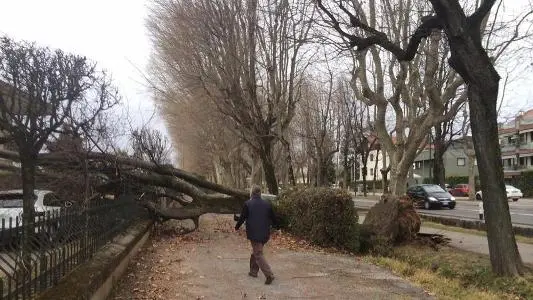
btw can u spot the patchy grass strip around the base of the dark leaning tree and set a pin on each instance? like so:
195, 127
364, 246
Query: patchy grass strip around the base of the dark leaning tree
450, 273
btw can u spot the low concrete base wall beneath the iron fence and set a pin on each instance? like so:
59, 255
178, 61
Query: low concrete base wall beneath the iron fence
95, 279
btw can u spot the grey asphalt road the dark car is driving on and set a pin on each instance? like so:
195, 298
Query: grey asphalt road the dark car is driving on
521, 211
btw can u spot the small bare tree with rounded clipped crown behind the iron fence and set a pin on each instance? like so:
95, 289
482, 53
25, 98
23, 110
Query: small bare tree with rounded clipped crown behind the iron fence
40, 90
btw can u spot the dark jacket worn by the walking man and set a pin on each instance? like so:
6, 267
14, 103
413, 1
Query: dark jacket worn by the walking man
259, 216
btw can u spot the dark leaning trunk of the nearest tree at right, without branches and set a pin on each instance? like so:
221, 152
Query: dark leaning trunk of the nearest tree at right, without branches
471, 61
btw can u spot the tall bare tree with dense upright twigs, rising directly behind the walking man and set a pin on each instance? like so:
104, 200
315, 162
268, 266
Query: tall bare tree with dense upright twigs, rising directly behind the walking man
214, 49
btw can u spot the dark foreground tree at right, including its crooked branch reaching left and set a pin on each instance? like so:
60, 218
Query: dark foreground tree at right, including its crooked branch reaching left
469, 59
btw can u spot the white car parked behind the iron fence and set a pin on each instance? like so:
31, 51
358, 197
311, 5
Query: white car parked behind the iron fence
11, 208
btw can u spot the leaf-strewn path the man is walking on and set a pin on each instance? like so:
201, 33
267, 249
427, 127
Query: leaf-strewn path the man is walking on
213, 264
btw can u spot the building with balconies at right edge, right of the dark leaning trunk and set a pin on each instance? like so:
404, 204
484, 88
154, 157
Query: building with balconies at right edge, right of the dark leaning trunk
516, 142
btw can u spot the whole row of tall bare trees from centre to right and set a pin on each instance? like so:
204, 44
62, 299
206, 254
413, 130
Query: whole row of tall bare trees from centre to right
289, 84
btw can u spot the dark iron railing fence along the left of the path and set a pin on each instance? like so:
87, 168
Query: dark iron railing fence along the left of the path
60, 240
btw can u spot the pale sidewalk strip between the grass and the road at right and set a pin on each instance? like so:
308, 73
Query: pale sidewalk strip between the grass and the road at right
477, 243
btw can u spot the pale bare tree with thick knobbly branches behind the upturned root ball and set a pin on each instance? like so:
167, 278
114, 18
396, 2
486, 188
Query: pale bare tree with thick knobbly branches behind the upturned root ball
408, 89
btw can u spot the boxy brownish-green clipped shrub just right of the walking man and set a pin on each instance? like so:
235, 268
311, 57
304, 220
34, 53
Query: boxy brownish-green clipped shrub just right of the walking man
323, 216
